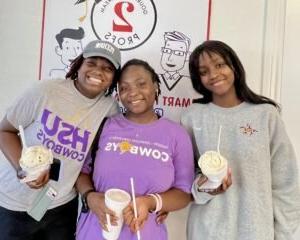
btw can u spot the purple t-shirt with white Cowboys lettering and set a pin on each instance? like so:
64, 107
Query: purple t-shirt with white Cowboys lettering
158, 156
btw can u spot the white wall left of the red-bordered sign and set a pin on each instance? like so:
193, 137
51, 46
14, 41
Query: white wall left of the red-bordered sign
20, 27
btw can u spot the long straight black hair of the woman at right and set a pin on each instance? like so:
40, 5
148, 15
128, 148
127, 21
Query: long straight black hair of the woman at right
244, 93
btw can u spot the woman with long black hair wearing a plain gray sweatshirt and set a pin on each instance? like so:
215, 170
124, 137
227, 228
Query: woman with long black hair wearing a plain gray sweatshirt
260, 196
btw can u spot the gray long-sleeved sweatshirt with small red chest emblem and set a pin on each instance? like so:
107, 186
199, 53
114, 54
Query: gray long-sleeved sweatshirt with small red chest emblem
263, 202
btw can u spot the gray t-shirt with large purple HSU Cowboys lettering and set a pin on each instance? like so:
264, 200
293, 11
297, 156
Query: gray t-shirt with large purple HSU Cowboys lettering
55, 114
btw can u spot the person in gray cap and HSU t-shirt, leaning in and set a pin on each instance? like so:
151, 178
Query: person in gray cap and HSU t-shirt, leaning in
62, 115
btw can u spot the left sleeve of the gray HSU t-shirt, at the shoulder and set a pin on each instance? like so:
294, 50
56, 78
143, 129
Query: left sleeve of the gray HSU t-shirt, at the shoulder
24, 109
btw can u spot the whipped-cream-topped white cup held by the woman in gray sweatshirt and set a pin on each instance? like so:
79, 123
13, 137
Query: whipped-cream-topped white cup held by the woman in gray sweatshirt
214, 166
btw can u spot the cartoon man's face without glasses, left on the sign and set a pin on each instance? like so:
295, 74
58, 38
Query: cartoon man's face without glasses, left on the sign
69, 50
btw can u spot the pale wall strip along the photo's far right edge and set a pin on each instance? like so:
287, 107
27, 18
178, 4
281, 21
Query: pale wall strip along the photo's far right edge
291, 80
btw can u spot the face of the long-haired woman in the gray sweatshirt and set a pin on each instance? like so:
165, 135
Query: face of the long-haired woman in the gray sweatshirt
217, 77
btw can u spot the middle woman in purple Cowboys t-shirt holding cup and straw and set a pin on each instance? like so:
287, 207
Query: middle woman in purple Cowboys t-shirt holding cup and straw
155, 151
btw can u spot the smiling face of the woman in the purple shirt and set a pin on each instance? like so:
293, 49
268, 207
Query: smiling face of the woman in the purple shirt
137, 92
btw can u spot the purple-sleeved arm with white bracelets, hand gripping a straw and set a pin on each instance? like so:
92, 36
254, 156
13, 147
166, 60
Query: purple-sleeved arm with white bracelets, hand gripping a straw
178, 196
